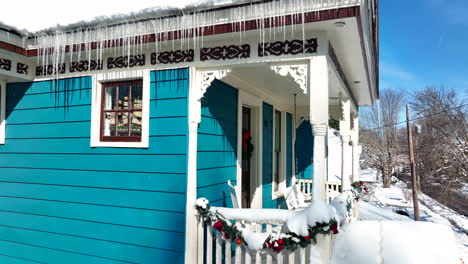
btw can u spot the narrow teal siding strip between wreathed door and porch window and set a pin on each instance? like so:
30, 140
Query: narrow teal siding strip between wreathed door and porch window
267, 157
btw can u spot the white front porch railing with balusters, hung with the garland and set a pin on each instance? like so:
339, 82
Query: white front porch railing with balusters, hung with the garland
213, 248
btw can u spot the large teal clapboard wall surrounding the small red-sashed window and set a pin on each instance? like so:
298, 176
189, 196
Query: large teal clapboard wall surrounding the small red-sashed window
62, 201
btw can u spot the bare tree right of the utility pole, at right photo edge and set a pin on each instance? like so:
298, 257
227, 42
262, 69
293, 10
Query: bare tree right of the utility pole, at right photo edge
442, 146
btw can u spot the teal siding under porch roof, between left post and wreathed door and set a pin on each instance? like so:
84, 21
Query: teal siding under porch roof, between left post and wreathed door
217, 144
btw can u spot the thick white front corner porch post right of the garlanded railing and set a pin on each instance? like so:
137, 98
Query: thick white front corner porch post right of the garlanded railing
318, 95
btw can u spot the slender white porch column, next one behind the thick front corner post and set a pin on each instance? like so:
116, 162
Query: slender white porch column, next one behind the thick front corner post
345, 138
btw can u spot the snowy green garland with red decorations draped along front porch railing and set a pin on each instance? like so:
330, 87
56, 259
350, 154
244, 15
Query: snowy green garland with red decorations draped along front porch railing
289, 241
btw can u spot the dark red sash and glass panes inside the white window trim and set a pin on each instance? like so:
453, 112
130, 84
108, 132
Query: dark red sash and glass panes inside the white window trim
122, 107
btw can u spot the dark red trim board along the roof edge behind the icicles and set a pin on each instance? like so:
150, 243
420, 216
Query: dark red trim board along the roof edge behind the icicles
309, 17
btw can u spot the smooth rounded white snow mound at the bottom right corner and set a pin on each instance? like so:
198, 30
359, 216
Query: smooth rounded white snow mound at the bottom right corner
394, 242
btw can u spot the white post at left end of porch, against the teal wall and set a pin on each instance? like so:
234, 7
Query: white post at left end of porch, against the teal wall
191, 239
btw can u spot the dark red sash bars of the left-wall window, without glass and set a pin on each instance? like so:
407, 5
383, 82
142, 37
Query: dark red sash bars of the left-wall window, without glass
115, 84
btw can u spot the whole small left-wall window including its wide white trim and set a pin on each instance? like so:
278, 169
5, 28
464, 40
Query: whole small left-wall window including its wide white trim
120, 107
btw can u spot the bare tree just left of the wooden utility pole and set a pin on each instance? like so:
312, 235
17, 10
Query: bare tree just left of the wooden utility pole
379, 133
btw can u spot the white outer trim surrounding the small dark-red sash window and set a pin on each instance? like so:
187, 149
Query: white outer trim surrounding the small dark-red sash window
97, 105
